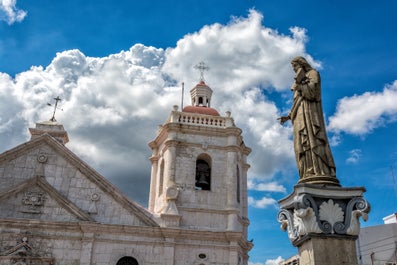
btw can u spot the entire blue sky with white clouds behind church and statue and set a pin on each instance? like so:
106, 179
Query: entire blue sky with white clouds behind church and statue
118, 67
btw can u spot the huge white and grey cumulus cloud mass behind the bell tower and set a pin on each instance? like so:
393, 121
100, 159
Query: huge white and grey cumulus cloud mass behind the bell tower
112, 105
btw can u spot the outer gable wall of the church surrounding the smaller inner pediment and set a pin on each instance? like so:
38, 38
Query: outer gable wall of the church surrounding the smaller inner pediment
32, 157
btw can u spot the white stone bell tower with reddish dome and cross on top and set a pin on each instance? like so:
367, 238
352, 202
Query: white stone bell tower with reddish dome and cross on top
199, 168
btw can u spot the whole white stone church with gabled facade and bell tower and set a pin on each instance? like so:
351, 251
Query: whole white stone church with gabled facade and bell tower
57, 210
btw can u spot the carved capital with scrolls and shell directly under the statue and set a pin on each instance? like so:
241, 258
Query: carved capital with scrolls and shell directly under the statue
317, 211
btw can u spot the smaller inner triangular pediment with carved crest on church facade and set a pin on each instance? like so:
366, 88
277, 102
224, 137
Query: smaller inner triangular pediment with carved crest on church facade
35, 198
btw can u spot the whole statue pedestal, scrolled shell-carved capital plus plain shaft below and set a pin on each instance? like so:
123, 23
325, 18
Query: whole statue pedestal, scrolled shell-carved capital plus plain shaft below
323, 222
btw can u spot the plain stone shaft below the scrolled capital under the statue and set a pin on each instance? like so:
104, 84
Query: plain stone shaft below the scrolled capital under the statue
327, 251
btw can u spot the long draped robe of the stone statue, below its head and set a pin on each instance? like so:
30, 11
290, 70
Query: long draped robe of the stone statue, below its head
312, 150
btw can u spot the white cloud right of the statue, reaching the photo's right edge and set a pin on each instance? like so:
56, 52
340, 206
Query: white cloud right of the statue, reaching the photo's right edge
361, 114
